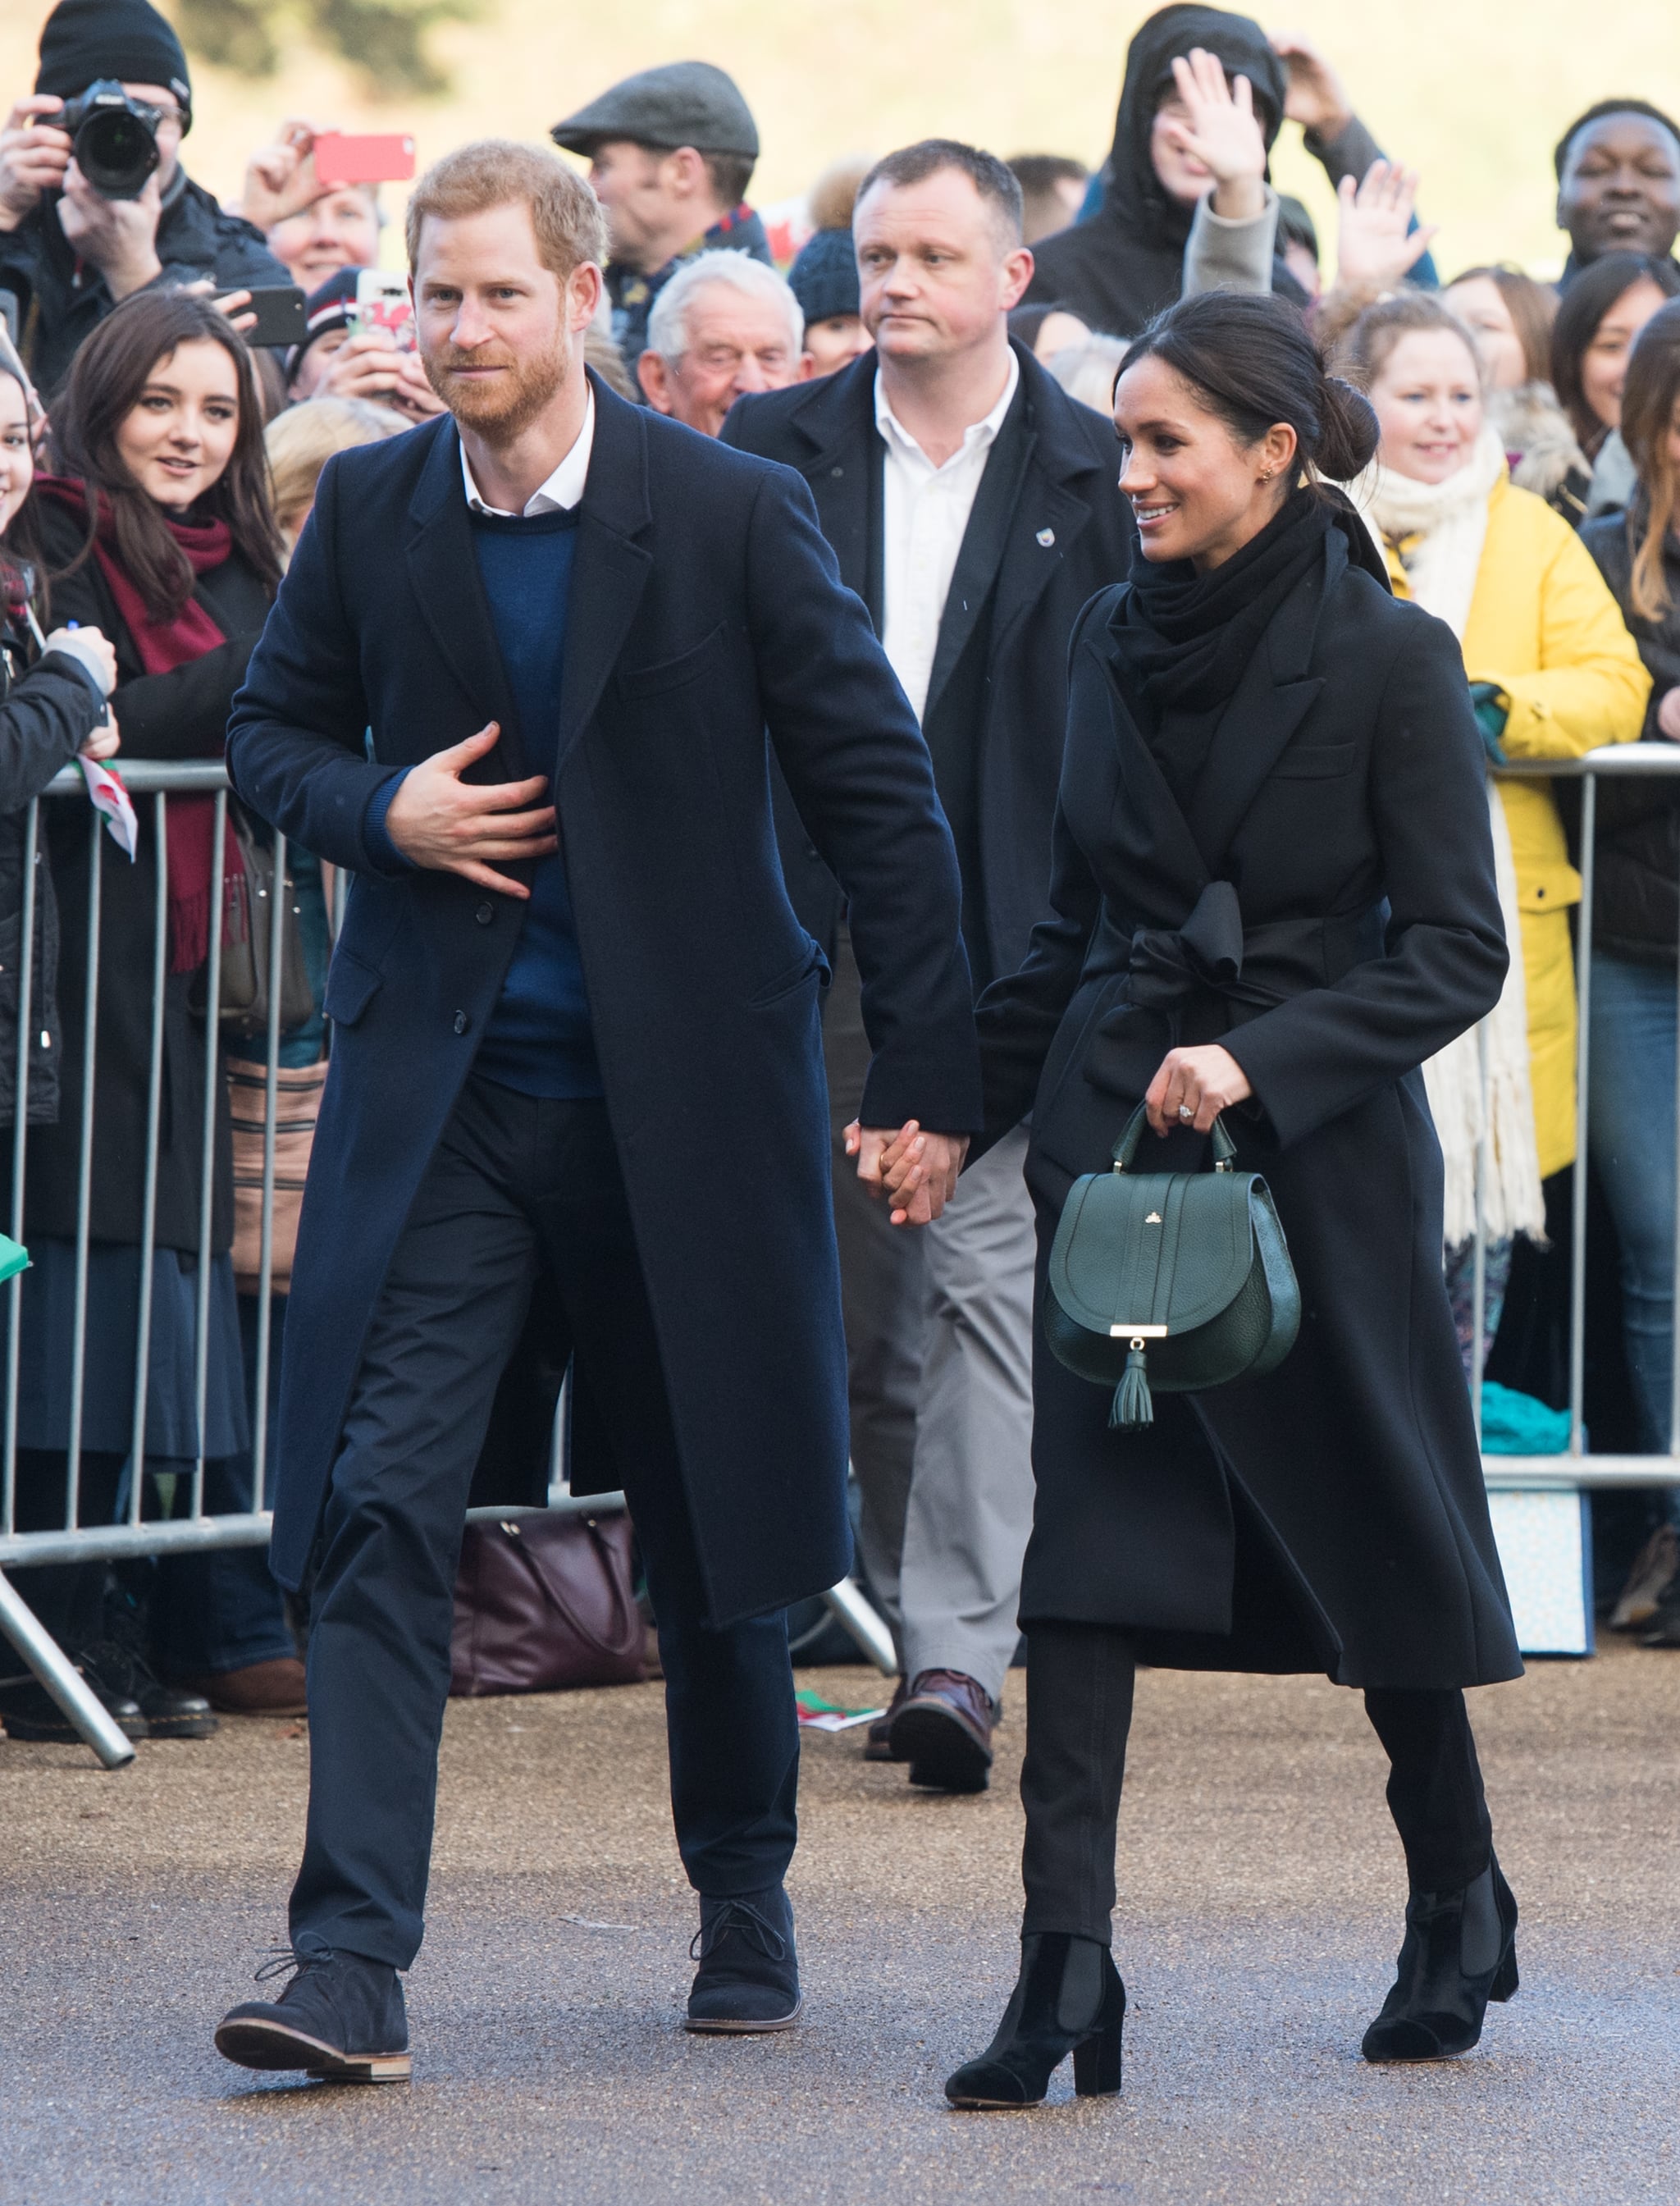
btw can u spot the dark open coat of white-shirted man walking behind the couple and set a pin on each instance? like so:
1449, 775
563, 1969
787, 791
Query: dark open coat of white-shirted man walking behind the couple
1037, 548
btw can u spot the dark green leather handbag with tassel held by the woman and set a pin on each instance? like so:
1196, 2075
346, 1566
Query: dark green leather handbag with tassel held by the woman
1170, 1278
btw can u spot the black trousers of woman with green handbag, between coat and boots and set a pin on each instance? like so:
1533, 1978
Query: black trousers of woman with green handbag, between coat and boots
1079, 1713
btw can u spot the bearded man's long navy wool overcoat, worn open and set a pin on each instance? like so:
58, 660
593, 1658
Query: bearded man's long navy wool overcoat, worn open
709, 628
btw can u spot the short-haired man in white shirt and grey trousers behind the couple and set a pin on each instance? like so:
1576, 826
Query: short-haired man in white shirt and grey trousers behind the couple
973, 508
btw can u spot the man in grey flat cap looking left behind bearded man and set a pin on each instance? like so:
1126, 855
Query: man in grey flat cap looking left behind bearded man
671, 156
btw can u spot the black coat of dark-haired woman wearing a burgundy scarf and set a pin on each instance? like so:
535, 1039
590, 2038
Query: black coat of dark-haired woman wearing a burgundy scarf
177, 716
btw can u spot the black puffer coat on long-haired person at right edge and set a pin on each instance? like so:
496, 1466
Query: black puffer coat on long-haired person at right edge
1637, 897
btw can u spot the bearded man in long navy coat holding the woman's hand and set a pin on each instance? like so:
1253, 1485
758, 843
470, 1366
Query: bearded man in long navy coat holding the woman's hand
524, 683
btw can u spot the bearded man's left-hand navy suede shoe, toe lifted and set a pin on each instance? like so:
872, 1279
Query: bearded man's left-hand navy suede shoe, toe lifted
341, 2020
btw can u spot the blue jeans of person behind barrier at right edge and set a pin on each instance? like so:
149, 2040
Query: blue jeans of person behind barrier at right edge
1630, 1135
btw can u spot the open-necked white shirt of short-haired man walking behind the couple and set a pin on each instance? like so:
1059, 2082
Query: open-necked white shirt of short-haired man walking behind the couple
925, 515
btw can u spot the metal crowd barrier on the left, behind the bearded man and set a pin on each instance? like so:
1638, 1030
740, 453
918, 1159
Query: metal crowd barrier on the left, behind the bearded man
151, 786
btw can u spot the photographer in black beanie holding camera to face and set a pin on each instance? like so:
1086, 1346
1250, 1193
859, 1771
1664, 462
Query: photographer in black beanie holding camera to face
94, 200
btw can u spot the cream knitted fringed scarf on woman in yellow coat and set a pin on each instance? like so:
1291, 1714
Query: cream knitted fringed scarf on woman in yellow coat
1478, 1086
